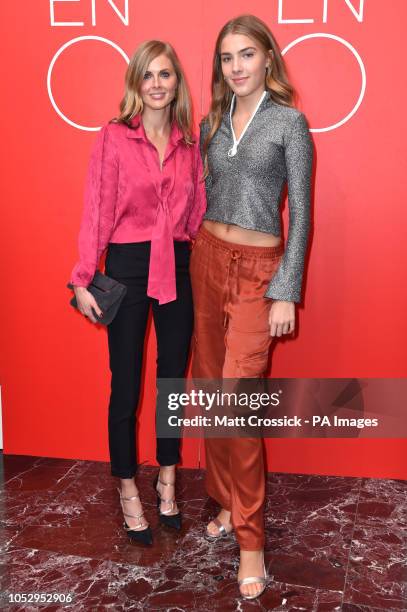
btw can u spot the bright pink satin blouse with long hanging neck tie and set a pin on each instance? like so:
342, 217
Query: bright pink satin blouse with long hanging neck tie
129, 199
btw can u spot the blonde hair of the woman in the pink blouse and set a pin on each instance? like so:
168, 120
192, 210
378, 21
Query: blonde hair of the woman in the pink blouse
132, 103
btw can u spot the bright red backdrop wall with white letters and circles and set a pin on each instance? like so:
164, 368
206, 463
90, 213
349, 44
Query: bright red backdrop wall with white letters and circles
343, 60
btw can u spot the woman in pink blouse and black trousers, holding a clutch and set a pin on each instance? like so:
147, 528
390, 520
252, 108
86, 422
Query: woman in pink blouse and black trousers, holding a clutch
144, 201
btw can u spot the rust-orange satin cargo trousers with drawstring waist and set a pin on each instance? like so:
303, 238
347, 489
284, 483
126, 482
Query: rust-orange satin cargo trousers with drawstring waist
232, 340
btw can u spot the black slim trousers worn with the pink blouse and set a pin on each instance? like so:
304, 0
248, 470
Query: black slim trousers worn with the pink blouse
173, 322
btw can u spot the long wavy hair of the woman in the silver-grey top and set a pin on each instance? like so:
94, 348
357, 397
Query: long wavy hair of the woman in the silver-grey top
276, 80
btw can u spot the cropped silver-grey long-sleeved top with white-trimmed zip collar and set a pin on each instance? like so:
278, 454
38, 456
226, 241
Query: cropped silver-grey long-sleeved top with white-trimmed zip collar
245, 189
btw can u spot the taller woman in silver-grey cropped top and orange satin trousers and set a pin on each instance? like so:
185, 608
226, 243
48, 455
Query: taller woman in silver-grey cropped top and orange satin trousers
245, 283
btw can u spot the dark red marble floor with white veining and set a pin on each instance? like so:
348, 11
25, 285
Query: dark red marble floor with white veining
332, 543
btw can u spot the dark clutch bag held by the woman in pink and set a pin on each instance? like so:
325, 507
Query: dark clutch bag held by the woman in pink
108, 294
